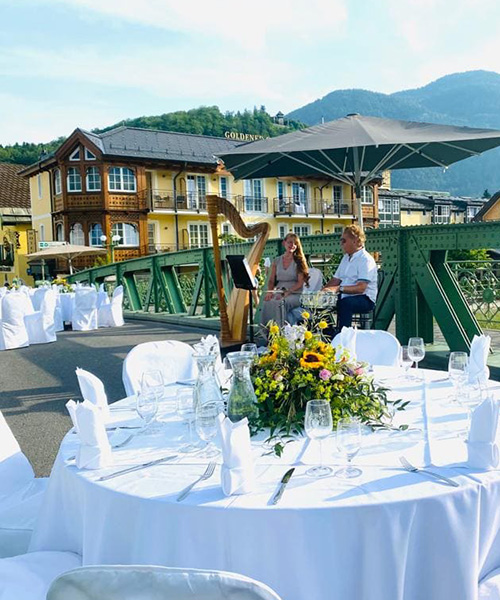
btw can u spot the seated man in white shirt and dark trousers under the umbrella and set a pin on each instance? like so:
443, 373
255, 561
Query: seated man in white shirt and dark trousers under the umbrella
355, 279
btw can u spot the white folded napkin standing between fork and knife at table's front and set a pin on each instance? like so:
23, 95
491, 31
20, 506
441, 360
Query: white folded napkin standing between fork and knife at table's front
237, 472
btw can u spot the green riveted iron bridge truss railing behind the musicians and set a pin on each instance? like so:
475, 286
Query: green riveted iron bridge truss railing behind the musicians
419, 287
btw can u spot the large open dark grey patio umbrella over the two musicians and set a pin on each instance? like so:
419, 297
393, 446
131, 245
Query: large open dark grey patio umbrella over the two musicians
355, 149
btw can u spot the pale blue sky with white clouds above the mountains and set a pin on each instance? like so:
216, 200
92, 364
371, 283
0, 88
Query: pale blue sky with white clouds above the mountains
91, 63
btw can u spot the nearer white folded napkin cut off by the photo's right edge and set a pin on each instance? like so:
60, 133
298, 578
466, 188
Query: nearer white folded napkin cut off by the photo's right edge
482, 449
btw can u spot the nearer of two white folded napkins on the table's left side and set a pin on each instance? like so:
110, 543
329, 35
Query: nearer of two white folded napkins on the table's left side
95, 450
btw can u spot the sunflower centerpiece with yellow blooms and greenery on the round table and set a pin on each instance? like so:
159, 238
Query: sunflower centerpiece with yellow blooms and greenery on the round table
299, 365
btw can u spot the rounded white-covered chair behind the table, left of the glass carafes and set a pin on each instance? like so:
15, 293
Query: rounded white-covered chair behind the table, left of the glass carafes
174, 359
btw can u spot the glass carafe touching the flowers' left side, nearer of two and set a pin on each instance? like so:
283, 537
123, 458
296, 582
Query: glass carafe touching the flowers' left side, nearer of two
242, 401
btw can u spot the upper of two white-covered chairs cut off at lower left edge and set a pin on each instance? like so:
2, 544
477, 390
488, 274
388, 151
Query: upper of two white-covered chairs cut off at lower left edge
21, 495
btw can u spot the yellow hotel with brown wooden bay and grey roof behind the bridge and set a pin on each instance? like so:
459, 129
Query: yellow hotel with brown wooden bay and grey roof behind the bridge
149, 188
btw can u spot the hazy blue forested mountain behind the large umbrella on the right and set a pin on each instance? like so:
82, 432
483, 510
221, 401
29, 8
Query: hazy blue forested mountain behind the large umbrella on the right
471, 99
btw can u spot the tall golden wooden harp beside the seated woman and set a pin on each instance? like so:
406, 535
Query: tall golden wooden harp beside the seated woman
234, 314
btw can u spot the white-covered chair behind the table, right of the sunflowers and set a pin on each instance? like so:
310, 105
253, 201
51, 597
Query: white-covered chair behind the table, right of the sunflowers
375, 346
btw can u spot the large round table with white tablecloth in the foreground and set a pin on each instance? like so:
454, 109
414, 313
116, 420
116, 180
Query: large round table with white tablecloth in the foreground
386, 535
